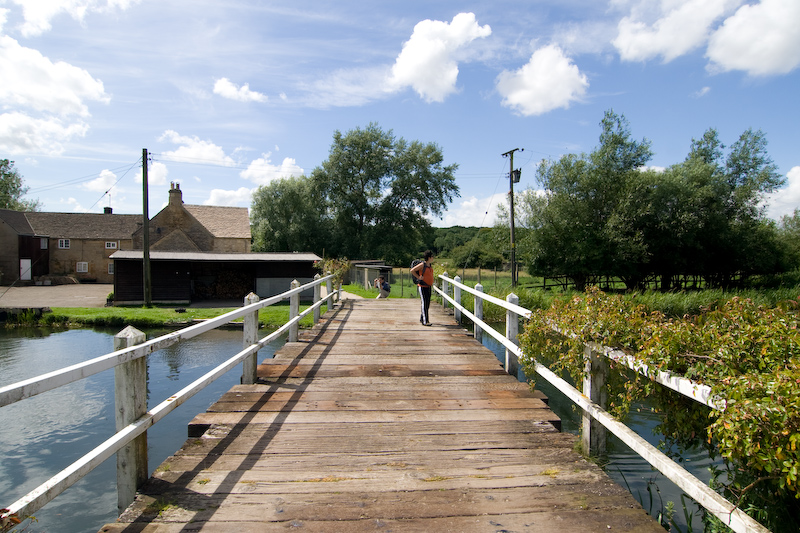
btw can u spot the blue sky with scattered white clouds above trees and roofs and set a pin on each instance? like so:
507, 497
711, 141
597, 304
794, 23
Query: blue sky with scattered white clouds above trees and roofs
230, 95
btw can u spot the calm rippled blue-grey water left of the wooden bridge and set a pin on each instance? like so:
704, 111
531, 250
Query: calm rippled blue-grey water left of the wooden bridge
42, 435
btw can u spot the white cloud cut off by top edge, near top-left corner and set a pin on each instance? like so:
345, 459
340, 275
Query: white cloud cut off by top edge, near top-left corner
39, 13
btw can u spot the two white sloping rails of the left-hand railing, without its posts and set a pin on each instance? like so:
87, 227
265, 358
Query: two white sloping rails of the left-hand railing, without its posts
57, 484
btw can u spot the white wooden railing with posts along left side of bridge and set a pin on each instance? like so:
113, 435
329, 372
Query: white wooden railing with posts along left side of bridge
134, 383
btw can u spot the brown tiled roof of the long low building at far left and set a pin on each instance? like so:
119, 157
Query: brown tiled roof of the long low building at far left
83, 225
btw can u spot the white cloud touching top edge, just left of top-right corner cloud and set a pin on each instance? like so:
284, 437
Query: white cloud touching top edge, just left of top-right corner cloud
683, 26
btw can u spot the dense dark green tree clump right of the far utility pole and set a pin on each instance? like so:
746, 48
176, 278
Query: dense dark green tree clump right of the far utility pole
607, 214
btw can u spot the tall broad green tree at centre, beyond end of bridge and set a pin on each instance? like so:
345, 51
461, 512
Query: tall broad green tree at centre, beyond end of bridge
378, 191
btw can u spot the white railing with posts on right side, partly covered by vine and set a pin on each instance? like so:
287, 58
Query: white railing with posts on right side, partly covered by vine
595, 418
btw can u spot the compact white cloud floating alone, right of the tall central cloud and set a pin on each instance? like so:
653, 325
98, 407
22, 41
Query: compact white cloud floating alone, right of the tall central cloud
549, 81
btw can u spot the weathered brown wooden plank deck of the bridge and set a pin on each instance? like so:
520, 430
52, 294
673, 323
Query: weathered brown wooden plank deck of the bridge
373, 422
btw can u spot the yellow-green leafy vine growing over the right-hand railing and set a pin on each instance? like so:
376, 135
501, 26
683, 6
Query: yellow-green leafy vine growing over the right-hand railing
749, 355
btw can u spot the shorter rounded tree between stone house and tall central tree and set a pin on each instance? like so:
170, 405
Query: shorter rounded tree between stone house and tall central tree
287, 216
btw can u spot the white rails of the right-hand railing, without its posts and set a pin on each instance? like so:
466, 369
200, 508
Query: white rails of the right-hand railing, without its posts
727, 512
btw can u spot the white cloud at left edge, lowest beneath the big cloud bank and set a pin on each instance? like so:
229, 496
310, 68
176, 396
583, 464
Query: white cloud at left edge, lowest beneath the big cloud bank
20, 133
